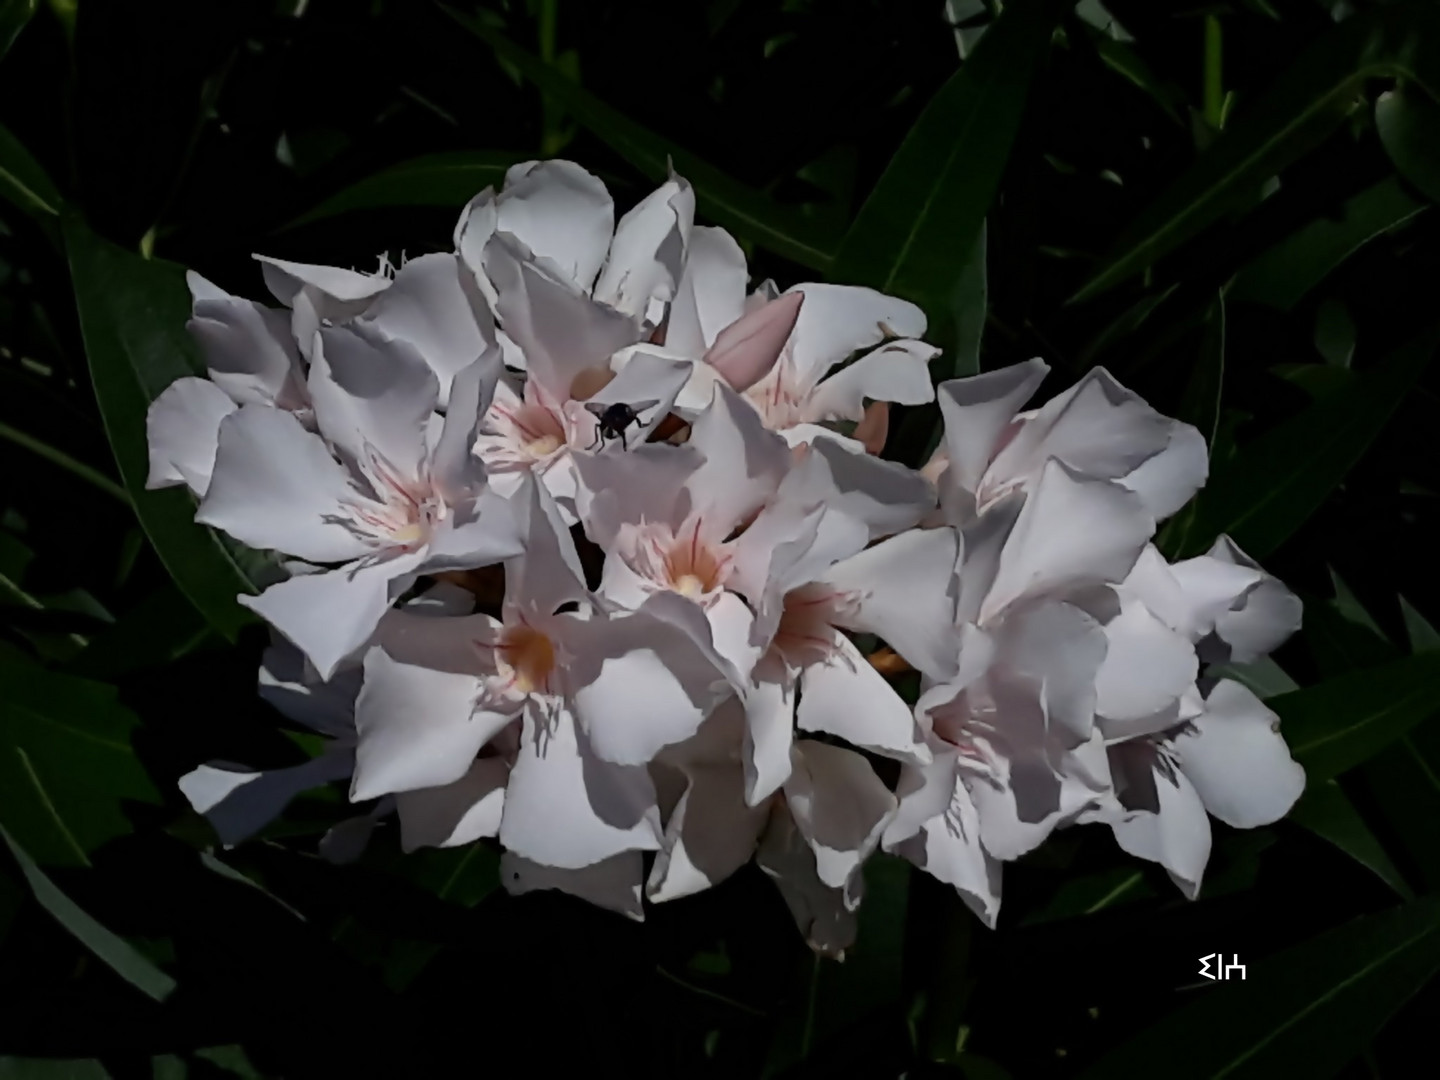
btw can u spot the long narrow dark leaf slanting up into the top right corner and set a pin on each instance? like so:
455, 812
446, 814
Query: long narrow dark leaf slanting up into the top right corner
1297, 114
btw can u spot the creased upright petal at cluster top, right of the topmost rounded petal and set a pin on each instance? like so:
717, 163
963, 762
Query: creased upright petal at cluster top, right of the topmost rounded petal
649, 251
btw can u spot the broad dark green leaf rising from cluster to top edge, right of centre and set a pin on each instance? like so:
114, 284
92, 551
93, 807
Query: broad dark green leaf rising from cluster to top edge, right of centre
915, 234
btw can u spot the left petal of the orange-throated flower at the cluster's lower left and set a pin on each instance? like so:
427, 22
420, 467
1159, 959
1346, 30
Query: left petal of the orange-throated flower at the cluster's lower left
418, 728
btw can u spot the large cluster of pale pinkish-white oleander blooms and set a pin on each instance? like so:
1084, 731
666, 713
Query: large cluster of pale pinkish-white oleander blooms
591, 551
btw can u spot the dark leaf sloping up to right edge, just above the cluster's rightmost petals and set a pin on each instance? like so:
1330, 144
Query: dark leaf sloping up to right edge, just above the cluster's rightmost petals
1277, 482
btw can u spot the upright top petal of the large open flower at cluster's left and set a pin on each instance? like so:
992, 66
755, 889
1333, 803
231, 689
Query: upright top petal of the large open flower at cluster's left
374, 397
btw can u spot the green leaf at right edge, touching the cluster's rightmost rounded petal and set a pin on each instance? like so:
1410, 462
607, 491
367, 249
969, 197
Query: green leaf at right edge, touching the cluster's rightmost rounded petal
1343, 722
